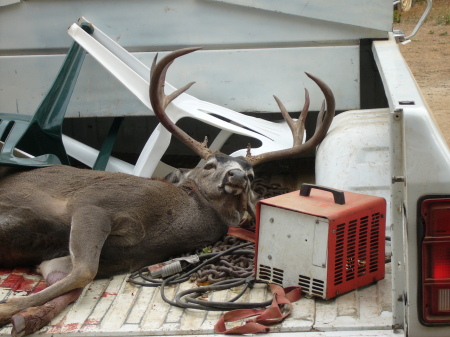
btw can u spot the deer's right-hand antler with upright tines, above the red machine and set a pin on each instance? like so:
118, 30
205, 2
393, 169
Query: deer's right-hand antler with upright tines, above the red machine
324, 120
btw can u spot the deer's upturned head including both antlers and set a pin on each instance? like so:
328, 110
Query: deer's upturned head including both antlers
233, 176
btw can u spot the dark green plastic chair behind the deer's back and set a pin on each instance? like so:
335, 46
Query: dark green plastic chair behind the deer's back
40, 135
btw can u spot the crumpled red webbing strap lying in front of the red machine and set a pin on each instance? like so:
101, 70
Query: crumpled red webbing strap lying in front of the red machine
271, 315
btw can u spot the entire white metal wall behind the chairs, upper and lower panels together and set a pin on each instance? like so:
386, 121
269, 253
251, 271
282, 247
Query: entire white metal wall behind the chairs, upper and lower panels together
258, 54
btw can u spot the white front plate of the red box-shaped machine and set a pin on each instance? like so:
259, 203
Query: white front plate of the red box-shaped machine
304, 245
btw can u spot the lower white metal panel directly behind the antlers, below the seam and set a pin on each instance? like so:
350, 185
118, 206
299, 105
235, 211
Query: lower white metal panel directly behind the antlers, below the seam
243, 80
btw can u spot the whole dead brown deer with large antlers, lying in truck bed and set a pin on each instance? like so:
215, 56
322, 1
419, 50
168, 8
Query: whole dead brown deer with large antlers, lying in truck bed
79, 224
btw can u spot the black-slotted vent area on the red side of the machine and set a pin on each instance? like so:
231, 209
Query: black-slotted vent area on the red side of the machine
357, 248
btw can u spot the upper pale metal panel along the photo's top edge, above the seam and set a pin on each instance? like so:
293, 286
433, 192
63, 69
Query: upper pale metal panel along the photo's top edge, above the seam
142, 25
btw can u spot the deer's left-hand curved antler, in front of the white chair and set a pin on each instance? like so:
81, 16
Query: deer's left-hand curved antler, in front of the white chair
160, 101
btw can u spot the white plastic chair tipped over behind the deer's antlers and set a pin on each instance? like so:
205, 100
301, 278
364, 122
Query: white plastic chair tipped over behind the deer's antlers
134, 75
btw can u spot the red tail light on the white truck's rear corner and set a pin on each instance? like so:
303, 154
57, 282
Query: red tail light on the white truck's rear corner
435, 276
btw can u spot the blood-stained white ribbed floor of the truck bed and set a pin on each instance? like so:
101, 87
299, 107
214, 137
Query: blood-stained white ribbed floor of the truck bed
115, 307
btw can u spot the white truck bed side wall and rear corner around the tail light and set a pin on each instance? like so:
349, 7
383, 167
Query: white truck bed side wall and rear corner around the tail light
426, 168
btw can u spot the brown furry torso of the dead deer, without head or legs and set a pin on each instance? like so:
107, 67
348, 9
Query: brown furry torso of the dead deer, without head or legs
147, 220
